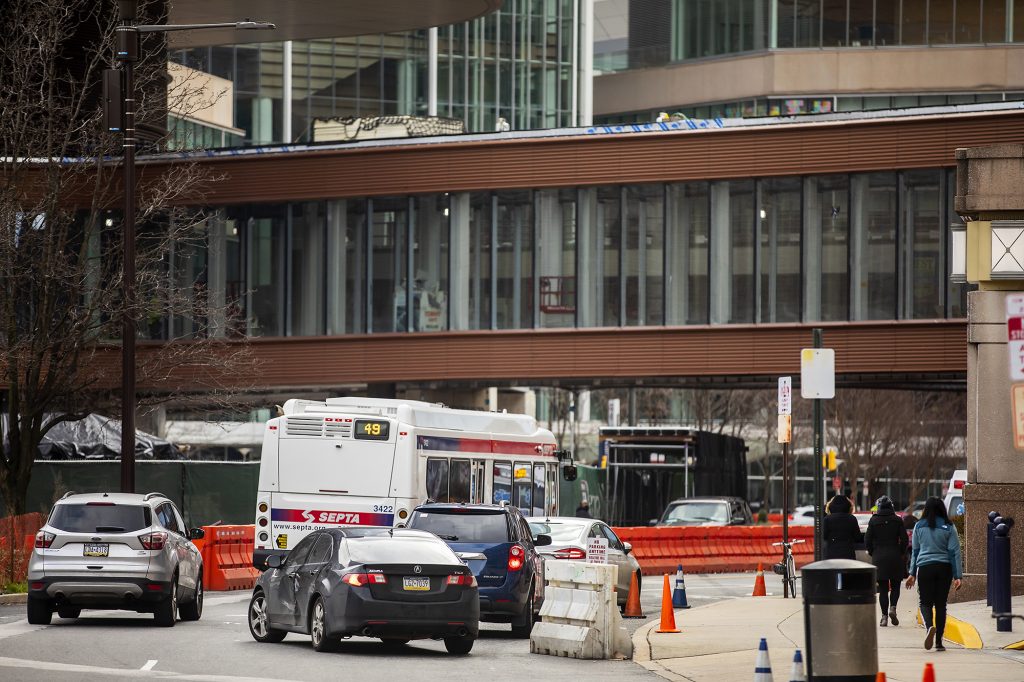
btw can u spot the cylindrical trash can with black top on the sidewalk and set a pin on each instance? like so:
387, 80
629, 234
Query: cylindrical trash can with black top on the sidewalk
840, 629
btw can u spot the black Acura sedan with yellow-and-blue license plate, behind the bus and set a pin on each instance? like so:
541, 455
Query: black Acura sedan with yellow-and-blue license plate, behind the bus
396, 584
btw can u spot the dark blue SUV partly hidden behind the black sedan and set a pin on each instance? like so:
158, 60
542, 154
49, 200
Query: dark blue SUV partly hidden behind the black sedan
496, 542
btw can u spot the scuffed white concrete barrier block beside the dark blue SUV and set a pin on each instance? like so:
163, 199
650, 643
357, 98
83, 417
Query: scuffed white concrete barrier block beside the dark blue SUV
580, 617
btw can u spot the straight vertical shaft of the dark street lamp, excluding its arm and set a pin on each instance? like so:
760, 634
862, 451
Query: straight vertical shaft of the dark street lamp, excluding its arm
127, 54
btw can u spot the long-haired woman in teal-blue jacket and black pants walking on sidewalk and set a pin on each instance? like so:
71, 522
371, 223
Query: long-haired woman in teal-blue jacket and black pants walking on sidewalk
935, 563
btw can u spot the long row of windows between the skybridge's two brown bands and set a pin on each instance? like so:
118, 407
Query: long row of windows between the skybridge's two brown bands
829, 248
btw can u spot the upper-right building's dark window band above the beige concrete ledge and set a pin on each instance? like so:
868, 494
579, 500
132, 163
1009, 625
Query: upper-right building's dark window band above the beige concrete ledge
661, 32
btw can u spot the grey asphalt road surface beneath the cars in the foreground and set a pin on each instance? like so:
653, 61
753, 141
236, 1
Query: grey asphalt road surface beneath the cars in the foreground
119, 645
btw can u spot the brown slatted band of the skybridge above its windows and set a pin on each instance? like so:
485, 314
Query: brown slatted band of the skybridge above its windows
607, 159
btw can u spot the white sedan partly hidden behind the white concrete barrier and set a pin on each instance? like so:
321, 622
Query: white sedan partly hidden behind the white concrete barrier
569, 541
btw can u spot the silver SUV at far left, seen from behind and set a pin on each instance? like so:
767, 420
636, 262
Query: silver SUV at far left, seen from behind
116, 550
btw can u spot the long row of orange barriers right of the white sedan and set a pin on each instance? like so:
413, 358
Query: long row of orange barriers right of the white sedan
713, 549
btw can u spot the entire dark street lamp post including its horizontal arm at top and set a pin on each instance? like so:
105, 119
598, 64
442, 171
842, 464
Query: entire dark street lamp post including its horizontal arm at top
119, 98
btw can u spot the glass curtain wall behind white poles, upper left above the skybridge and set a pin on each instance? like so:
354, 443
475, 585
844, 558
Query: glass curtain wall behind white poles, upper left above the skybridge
517, 64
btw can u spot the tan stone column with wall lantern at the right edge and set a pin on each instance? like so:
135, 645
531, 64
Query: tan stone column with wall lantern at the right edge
990, 183
